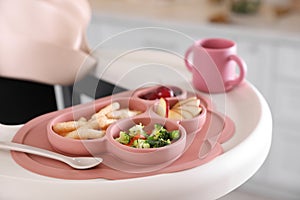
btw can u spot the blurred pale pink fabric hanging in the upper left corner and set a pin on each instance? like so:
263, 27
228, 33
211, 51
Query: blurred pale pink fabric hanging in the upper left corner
45, 41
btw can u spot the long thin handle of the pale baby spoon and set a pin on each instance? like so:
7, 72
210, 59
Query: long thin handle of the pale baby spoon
32, 150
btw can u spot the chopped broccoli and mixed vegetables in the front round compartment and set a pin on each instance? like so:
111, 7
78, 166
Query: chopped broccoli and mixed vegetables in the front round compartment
137, 137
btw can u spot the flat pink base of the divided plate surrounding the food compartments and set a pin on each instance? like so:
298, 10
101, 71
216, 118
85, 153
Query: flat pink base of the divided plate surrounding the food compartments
200, 147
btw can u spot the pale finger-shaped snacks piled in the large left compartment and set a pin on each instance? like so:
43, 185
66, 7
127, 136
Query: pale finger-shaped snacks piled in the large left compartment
96, 126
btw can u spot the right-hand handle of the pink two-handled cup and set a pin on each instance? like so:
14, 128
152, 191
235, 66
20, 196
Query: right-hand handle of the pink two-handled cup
243, 70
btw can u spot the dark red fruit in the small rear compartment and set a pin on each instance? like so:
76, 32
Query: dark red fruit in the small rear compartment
161, 92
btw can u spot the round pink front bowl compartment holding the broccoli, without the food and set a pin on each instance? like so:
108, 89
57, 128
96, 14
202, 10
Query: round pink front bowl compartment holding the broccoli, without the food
151, 156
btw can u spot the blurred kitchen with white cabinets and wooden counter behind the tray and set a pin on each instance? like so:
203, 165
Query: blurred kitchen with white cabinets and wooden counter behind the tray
268, 36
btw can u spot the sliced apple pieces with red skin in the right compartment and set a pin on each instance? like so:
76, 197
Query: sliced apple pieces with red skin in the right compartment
184, 109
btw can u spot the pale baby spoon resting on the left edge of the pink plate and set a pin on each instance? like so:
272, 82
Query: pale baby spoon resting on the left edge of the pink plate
75, 162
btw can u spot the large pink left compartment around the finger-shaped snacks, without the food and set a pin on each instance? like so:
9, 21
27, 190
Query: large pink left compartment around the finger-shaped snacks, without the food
87, 147
